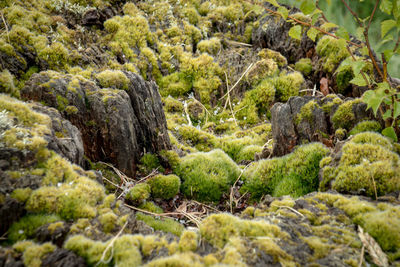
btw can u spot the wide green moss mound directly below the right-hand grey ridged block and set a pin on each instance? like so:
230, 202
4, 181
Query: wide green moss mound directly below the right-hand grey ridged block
295, 174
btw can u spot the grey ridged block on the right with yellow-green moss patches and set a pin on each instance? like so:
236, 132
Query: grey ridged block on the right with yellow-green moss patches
312, 119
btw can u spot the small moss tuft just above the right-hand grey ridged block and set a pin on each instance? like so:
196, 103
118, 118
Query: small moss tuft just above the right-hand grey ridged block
287, 85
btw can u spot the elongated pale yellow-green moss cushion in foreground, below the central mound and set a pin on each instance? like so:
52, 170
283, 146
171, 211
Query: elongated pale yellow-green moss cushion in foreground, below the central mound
219, 228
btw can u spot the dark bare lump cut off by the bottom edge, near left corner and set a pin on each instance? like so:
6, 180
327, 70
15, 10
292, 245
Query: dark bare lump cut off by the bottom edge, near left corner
63, 258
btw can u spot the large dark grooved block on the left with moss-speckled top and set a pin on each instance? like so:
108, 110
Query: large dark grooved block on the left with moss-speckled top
117, 126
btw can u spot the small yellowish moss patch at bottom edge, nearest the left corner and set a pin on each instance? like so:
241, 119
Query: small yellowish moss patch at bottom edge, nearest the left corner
34, 253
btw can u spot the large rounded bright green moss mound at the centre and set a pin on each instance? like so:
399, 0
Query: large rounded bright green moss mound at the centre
206, 176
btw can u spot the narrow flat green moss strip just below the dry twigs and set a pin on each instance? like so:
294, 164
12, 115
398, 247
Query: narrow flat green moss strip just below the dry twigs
163, 224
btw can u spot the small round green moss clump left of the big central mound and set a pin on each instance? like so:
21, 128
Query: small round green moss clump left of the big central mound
164, 186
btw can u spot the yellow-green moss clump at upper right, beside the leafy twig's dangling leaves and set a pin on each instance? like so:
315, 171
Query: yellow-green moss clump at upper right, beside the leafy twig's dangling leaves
332, 52
